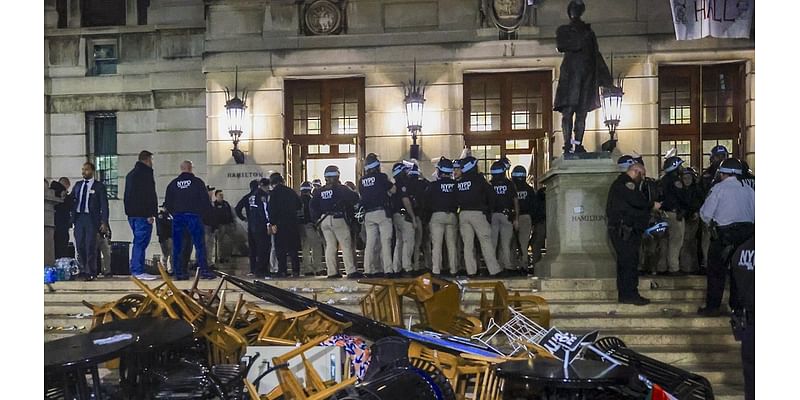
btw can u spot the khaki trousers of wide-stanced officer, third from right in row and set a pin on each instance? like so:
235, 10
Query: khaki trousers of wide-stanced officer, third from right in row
472, 224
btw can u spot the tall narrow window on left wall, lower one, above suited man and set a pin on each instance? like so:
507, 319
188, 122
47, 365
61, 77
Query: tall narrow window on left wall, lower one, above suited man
101, 137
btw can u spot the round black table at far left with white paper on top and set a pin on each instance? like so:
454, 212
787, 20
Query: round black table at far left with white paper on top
78, 353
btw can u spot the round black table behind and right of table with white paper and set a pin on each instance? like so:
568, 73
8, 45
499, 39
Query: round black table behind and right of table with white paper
157, 337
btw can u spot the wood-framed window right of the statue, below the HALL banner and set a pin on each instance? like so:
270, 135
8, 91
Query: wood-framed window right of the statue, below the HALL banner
700, 107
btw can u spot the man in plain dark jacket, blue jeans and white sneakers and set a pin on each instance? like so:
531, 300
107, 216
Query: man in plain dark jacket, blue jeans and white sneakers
141, 207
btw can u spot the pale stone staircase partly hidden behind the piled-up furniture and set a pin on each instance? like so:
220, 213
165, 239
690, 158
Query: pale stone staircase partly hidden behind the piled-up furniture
667, 329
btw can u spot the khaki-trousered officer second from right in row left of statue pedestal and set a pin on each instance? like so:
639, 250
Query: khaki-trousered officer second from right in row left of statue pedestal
505, 209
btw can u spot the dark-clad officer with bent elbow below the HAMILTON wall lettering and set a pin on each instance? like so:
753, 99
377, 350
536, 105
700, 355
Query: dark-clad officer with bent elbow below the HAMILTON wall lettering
258, 240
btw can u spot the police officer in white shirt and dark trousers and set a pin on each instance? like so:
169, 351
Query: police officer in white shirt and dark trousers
729, 211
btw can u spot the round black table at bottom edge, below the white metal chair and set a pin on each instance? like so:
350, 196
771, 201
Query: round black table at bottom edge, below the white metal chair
547, 378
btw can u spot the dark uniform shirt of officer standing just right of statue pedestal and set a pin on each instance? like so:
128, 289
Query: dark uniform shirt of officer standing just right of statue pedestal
627, 205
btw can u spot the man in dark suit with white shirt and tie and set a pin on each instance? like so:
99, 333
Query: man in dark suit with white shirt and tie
89, 216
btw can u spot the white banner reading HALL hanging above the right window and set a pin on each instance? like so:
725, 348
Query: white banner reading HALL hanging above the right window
696, 19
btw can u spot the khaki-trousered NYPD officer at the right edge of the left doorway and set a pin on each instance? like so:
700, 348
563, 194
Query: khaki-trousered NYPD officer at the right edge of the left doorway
375, 189
